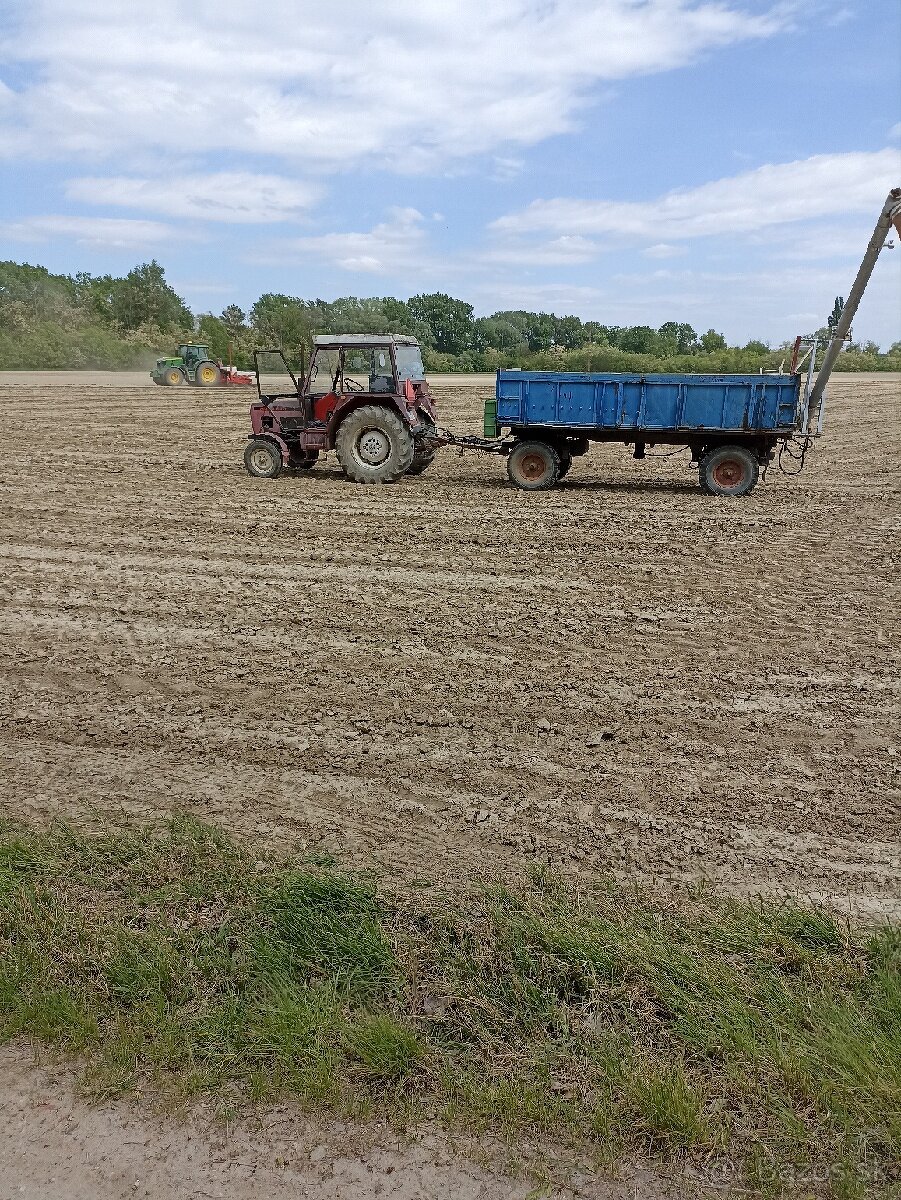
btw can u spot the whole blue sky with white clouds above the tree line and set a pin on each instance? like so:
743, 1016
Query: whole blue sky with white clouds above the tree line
630, 161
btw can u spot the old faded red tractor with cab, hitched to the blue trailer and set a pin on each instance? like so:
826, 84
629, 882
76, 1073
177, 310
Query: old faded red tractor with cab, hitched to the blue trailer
364, 395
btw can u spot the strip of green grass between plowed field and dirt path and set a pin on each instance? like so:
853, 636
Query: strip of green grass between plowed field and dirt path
759, 1036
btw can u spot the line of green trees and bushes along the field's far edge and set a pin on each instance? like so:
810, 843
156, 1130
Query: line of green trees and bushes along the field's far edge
106, 322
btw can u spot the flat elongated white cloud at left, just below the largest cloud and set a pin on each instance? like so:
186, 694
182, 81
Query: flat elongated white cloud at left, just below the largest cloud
239, 197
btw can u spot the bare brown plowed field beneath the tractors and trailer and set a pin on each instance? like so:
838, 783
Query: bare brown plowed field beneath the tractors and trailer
452, 679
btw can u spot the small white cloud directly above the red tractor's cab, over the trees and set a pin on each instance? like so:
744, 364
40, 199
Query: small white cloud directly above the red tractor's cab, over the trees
386, 250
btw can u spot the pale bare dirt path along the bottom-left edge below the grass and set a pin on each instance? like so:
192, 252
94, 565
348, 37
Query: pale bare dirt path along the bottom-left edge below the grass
57, 1147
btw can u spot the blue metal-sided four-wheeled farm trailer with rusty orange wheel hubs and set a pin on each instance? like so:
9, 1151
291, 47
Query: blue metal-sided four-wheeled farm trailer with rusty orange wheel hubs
731, 423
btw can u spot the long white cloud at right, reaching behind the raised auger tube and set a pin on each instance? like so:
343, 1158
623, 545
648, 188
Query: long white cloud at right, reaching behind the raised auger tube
770, 196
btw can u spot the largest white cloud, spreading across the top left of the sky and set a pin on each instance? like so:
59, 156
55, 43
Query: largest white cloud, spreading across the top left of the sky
407, 86
